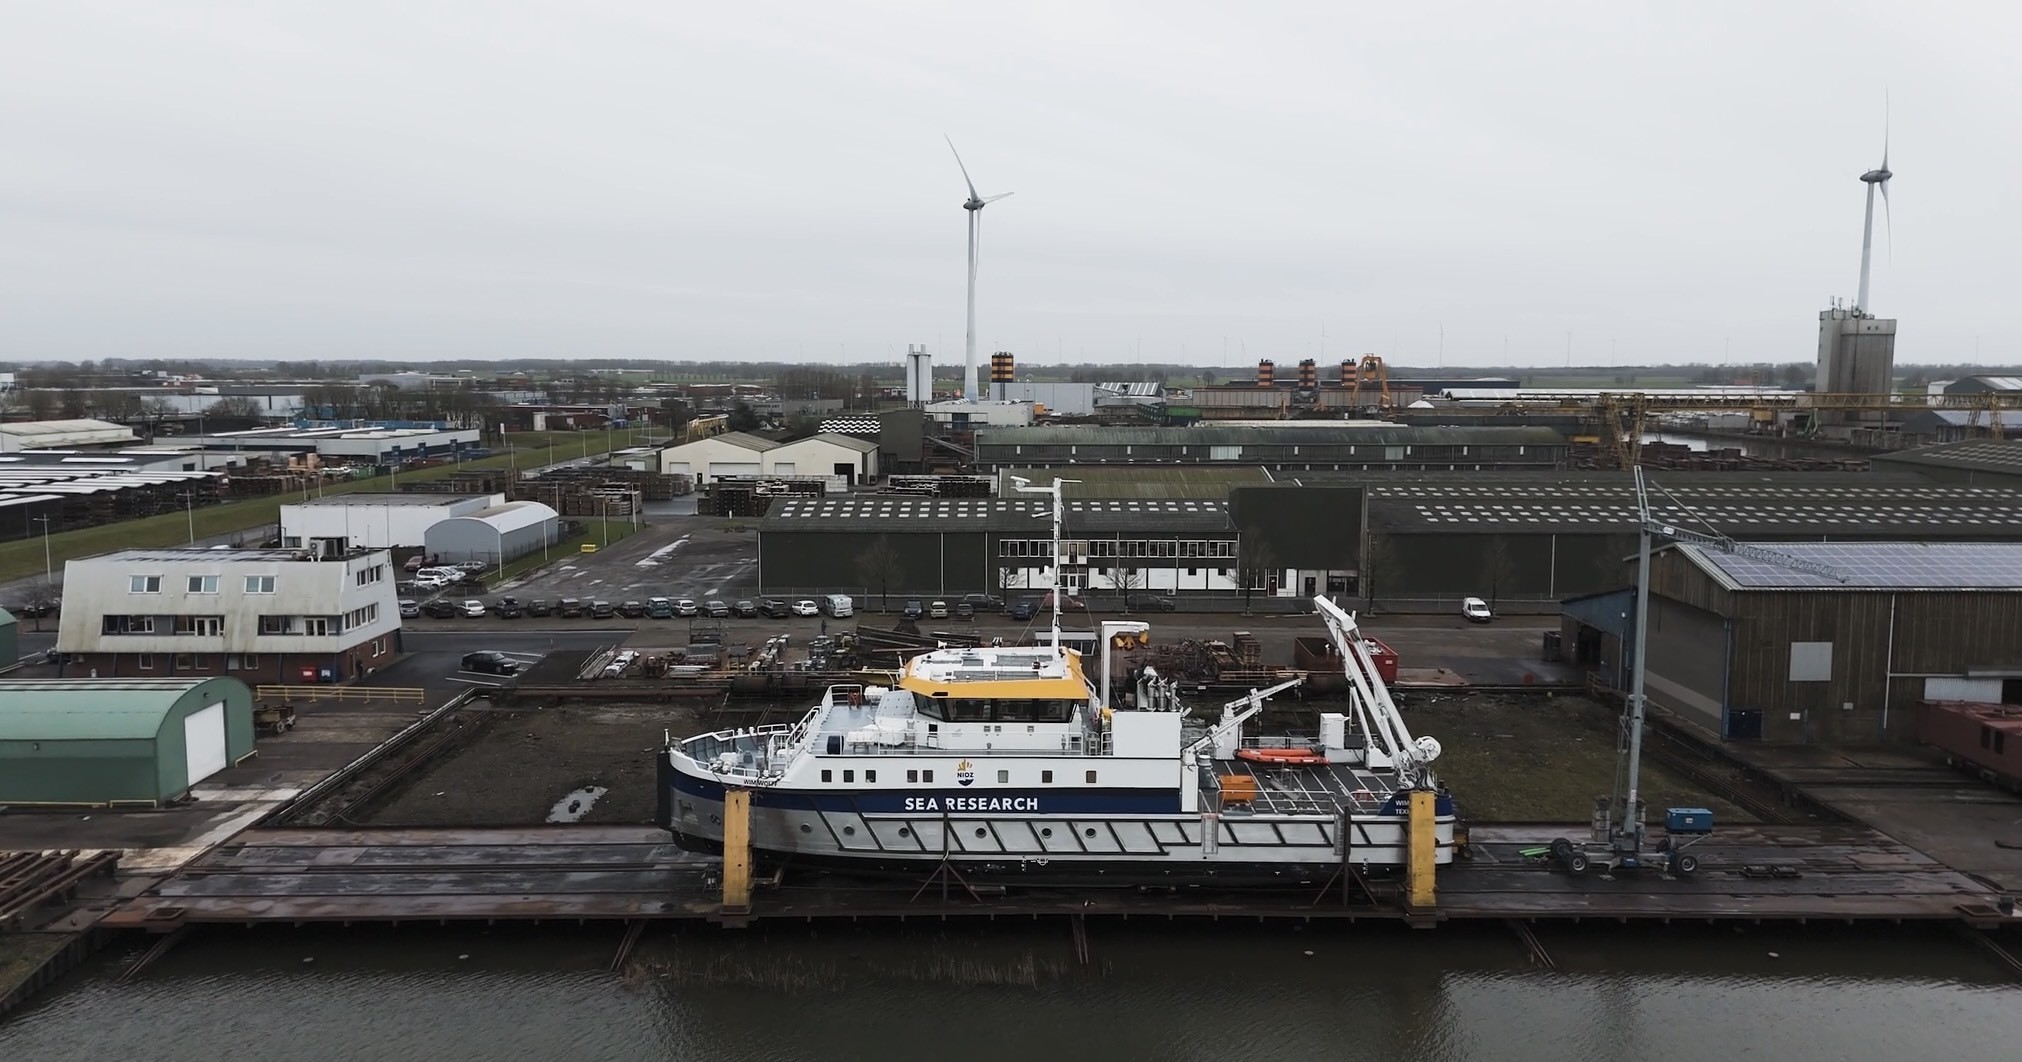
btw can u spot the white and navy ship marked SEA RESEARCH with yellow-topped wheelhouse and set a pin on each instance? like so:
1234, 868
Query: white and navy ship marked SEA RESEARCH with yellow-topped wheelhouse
1018, 764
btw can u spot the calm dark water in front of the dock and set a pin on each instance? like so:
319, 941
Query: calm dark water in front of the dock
1212, 994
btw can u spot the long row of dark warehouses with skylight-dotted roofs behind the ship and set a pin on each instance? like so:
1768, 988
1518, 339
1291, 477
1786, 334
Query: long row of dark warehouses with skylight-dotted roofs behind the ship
1398, 539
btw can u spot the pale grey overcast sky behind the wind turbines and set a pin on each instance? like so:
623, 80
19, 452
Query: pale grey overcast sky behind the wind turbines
769, 181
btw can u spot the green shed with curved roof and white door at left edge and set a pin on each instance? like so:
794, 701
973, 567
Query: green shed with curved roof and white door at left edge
118, 739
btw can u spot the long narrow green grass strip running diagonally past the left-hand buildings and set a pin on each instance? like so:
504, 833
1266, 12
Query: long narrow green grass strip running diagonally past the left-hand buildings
25, 559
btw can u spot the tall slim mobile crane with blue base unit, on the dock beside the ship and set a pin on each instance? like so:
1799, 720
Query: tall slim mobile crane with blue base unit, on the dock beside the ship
1619, 838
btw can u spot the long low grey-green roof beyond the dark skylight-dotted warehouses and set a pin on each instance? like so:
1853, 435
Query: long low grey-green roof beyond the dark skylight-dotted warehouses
1307, 434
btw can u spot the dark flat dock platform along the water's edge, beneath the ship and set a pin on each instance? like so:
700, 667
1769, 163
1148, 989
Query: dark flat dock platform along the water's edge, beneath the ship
602, 873
